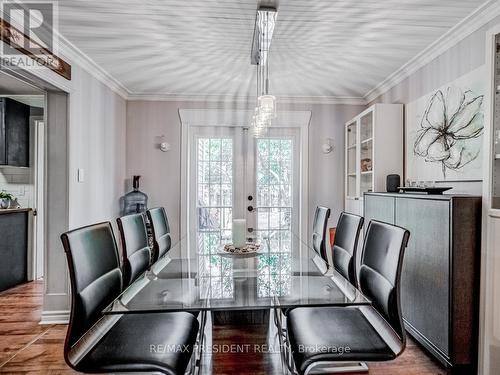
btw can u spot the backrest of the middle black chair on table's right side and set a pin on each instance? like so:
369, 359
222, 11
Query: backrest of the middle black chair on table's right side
346, 244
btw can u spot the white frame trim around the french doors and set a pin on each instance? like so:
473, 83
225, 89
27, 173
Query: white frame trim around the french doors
231, 118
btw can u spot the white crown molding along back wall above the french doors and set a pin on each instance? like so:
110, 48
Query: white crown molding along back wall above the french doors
246, 99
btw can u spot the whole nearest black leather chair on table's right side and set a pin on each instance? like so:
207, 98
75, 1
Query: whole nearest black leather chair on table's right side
318, 336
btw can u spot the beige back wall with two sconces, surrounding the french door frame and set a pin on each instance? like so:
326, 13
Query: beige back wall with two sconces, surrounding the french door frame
147, 120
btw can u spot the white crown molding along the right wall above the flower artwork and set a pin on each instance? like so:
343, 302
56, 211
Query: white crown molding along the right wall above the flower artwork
480, 17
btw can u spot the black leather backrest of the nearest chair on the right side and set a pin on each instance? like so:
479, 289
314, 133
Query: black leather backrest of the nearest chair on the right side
380, 271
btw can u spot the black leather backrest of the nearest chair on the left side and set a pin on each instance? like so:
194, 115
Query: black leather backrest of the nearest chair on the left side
95, 275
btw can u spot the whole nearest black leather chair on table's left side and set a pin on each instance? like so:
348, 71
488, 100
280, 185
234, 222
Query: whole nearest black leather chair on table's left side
116, 343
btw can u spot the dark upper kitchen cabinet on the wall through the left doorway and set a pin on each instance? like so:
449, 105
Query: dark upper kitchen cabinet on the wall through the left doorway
14, 133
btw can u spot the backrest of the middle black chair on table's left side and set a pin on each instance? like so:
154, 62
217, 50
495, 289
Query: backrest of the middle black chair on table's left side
136, 254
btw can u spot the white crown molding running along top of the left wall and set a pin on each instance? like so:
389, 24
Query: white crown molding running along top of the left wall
82, 60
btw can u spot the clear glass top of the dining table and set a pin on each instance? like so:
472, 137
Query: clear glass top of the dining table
214, 280
